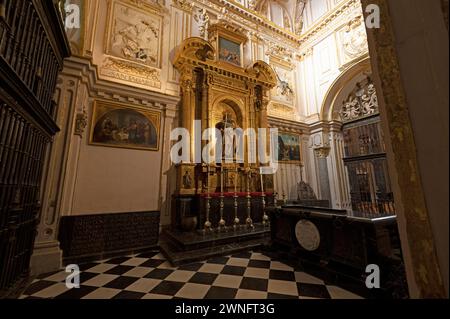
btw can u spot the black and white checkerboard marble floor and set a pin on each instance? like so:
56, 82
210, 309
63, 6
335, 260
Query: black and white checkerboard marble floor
245, 275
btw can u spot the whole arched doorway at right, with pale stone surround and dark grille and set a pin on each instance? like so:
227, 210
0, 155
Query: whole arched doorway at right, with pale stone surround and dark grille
358, 175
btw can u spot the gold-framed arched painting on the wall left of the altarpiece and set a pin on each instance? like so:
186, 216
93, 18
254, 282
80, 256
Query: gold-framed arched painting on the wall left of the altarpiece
124, 126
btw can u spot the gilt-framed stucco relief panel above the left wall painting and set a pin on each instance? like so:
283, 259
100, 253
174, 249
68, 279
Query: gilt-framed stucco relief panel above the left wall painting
133, 44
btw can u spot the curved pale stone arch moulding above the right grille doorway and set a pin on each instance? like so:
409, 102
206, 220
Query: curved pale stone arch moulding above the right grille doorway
341, 88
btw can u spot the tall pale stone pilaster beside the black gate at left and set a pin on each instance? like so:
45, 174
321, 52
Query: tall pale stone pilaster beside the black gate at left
72, 99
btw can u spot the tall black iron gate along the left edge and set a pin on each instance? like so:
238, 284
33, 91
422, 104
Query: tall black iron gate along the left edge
32, 47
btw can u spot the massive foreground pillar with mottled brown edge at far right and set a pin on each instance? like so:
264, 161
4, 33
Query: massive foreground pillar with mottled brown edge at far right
409, 56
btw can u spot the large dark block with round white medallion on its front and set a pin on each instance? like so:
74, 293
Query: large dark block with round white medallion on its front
347, 246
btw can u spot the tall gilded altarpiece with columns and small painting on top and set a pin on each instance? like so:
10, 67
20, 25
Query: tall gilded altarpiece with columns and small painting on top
222, 94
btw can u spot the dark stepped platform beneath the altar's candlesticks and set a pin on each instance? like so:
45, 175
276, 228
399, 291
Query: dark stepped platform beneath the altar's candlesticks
185, 247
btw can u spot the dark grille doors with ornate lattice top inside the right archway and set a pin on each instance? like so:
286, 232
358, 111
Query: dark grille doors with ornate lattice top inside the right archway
365, 153
